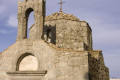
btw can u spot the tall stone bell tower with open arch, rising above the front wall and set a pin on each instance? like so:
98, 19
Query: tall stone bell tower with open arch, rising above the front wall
25, 7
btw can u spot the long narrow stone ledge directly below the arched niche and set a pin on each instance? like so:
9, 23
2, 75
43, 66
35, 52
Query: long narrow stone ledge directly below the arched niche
27, 73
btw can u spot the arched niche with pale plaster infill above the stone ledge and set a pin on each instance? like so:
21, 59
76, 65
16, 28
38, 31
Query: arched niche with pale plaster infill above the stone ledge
27, 62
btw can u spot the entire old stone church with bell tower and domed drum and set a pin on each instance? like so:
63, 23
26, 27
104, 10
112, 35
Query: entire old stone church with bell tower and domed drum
59, 47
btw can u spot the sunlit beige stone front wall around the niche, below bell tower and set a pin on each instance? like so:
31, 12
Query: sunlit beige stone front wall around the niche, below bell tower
60, 64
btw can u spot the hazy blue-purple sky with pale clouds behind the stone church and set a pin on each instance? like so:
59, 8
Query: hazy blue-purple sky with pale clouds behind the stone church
102, 15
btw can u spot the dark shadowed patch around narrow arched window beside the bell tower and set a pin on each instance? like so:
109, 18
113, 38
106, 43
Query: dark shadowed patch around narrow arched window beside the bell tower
50, 33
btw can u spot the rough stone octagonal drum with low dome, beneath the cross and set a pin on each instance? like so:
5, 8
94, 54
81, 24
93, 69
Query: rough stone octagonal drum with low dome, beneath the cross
69, 32
